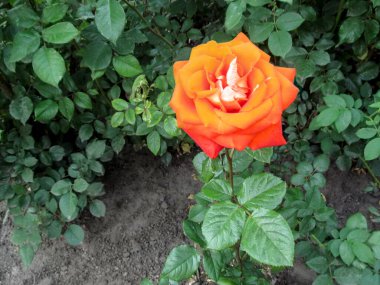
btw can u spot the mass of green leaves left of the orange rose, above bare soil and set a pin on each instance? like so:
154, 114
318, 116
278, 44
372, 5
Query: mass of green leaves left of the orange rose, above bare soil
62, 67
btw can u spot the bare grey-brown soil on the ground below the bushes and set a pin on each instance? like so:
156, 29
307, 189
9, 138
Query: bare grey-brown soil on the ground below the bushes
146, 203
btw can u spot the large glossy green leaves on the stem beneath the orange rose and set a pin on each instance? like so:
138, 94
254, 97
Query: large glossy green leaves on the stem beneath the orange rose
233, 223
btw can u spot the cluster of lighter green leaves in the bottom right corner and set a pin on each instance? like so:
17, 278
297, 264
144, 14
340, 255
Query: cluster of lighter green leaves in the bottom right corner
347, 256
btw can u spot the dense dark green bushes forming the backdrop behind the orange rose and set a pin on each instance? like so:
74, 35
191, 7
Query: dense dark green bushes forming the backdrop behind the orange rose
79, 80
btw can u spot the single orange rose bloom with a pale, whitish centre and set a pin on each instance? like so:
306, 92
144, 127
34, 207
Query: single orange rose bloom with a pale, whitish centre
230, 95
